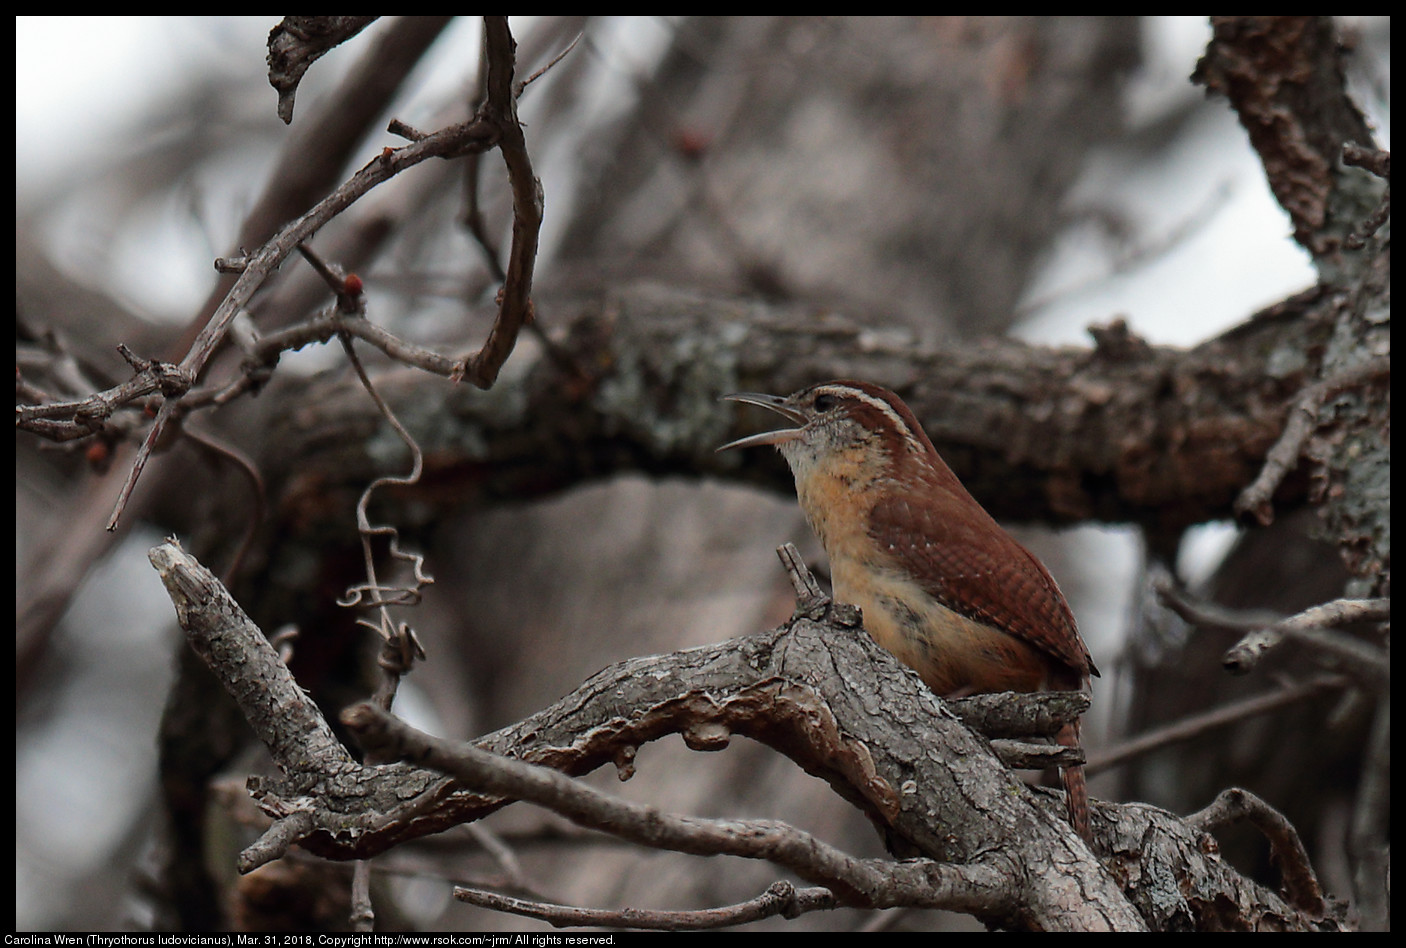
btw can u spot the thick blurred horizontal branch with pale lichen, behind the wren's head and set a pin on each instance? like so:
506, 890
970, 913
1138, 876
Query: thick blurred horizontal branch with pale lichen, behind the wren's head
1159, 437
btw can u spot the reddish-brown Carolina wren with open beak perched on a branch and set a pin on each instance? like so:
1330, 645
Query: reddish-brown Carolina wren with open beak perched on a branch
940, 583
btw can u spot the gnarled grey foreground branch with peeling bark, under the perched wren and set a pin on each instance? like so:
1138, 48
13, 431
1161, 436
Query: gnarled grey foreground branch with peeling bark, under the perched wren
822, 694
